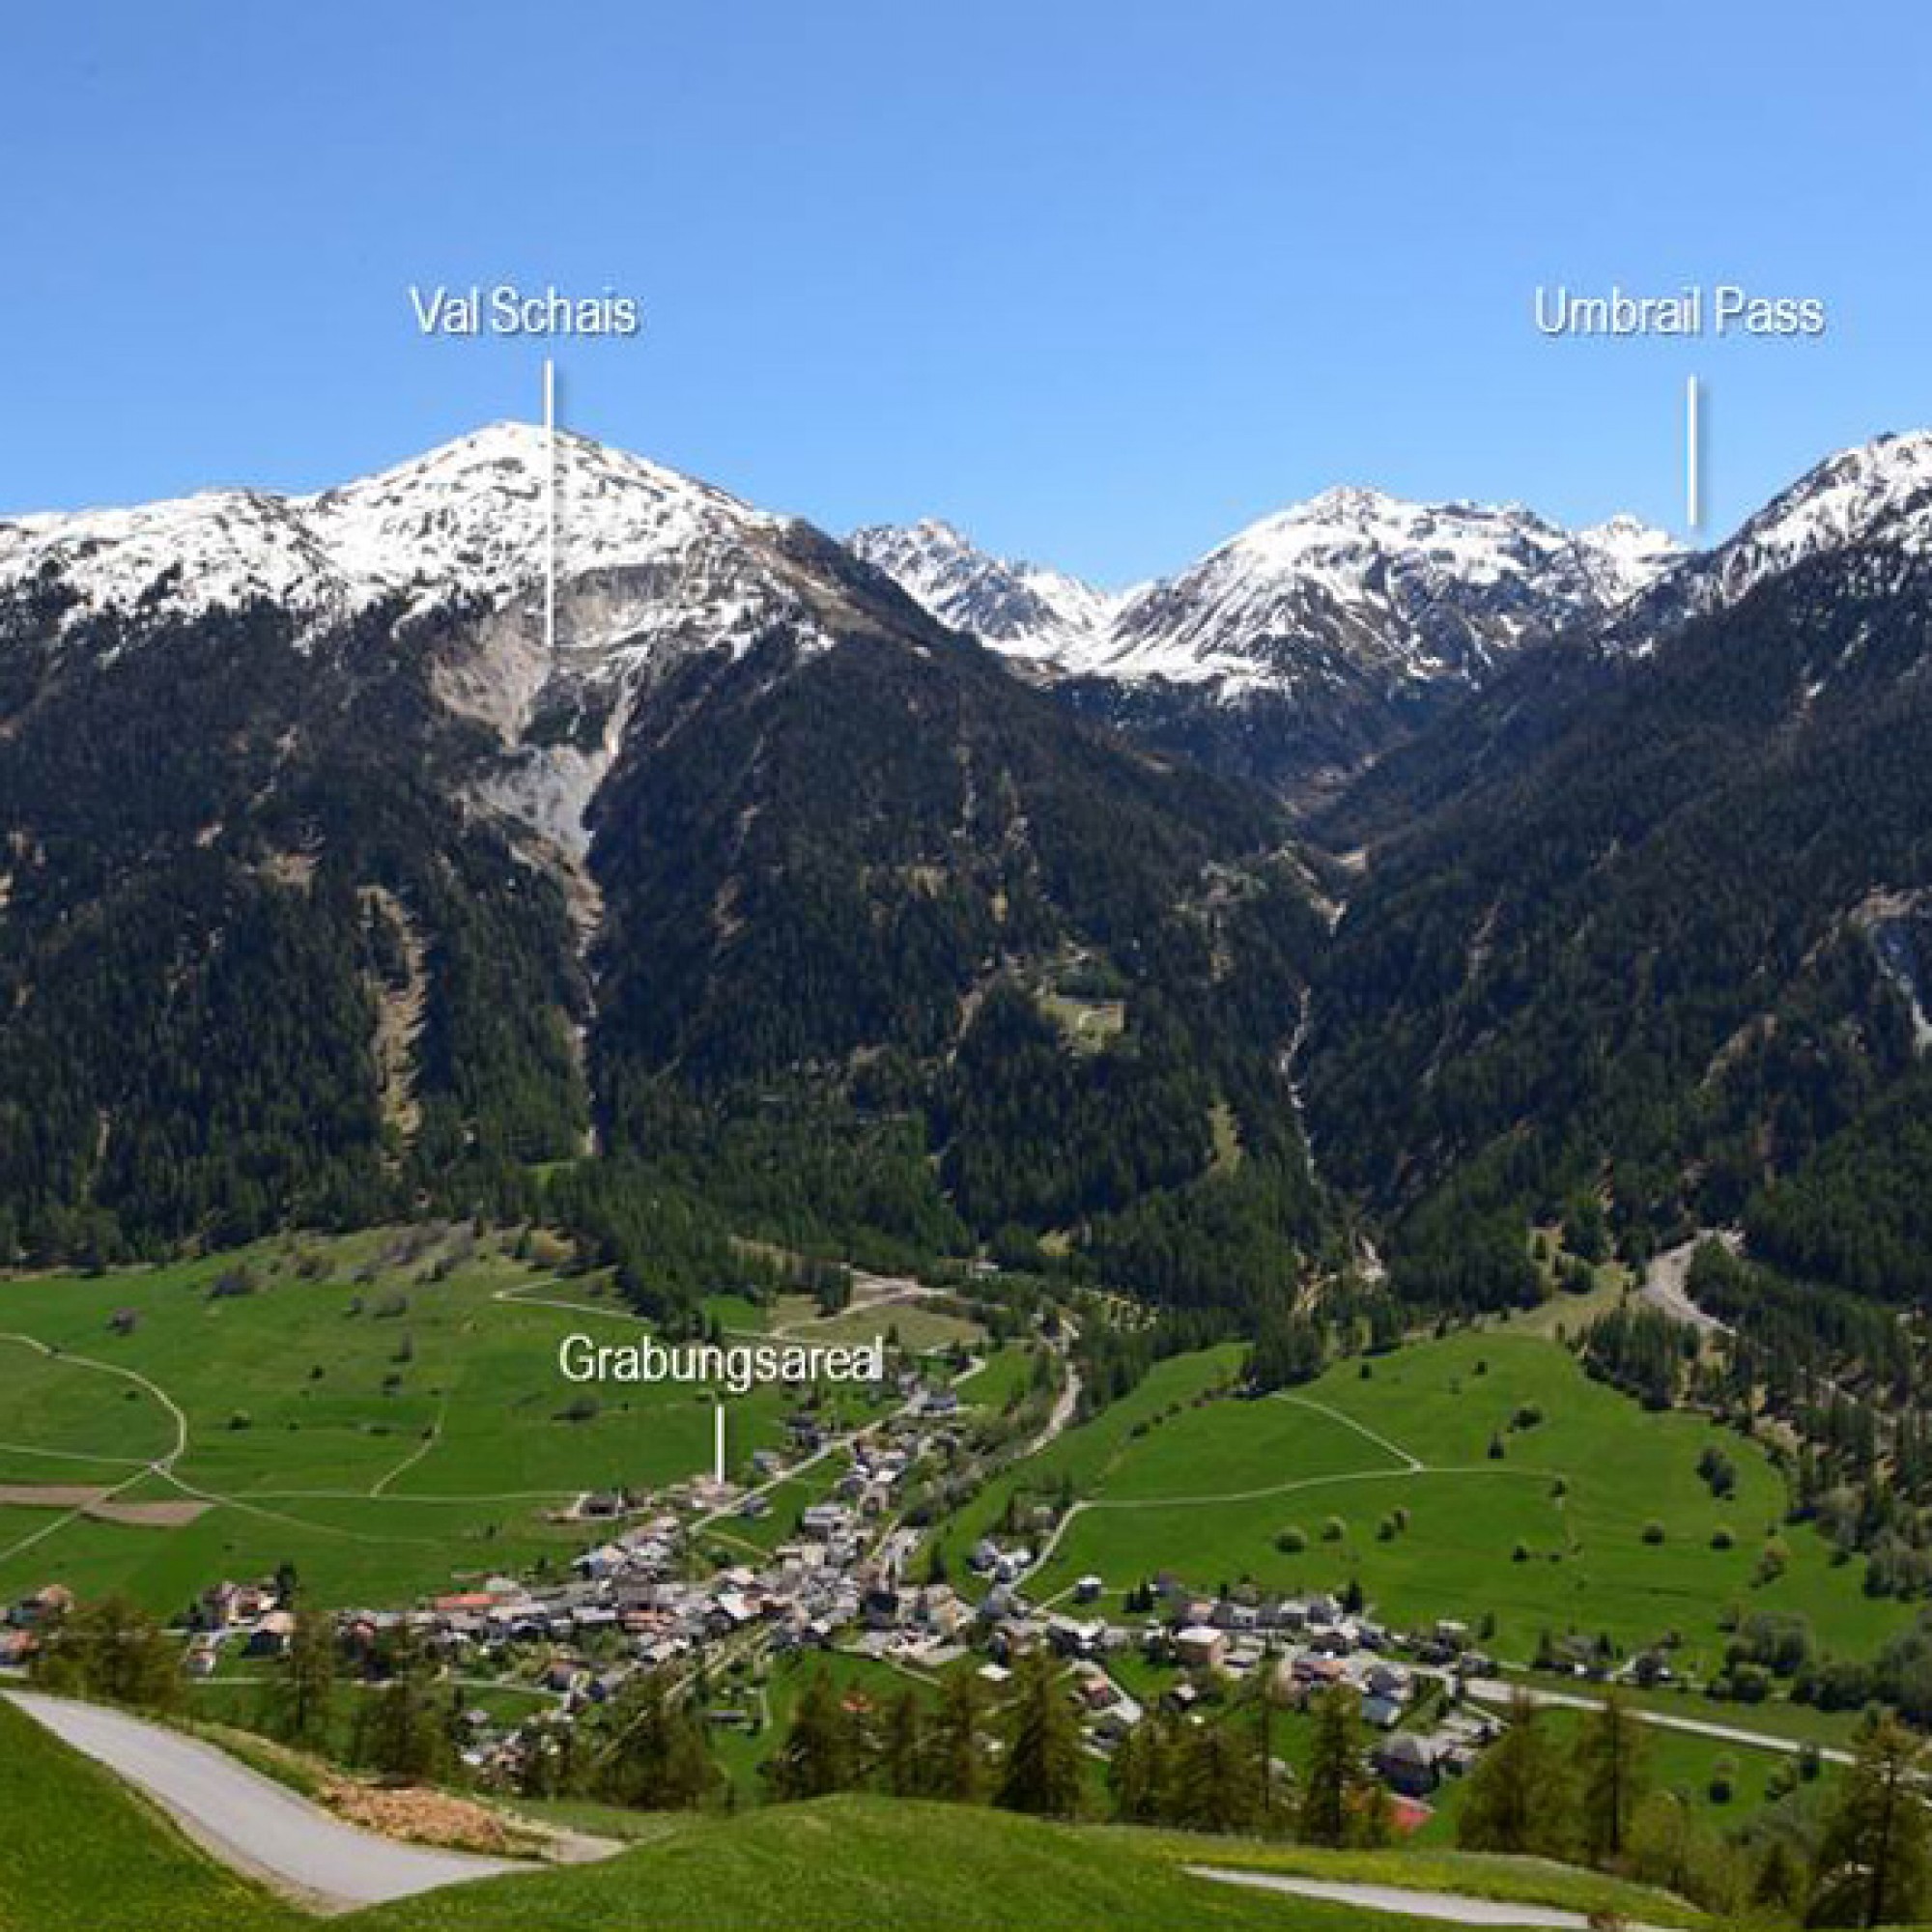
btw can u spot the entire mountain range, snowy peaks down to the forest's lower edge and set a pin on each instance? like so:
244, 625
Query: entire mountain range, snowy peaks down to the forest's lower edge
890, 899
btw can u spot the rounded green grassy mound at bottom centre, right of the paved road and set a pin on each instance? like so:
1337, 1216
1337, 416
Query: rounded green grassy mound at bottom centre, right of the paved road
855, 1865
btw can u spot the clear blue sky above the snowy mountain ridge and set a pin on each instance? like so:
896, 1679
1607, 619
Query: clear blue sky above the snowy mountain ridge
1096, 281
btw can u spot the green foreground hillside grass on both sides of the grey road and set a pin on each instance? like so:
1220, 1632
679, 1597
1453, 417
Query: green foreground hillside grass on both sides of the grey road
82, 1854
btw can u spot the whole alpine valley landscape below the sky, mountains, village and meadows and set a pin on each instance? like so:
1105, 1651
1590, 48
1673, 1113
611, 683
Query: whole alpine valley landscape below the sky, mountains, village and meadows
1369, 1106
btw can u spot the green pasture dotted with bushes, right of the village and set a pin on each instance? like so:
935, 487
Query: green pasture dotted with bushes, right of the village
1593, 1516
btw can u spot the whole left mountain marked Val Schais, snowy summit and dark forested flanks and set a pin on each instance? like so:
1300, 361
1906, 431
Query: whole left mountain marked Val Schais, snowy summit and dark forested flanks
766, 903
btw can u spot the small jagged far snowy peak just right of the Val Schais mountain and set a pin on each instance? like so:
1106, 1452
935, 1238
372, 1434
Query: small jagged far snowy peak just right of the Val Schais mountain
1021, 610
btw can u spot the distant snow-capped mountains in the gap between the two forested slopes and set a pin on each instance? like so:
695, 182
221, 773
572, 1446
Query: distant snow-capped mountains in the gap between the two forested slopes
1305, 644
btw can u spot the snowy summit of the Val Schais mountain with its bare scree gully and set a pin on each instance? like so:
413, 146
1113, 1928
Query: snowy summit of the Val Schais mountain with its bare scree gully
449, 552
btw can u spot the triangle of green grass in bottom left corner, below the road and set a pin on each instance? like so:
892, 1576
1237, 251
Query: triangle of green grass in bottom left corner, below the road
82, 1854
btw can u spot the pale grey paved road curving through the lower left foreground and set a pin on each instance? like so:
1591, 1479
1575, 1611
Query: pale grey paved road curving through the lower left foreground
250, 1821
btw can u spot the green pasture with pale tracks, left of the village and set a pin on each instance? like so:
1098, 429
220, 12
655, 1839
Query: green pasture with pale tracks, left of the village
382, 1411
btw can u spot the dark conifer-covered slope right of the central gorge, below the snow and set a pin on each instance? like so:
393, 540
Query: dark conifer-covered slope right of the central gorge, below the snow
1670, 955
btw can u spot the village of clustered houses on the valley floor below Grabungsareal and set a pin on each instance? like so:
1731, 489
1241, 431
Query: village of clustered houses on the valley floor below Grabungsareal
650, 1595
